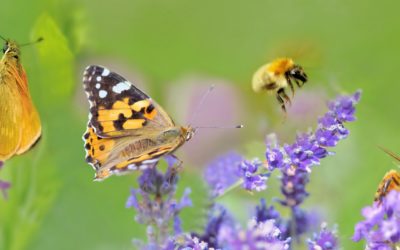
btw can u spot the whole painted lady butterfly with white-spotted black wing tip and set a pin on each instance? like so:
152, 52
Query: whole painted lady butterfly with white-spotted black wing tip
127, 130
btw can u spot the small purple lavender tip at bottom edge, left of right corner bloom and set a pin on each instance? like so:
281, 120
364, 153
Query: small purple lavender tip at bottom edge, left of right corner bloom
324, 240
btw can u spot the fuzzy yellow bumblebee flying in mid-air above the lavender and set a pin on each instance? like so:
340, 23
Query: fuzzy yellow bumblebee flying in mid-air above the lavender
276, 76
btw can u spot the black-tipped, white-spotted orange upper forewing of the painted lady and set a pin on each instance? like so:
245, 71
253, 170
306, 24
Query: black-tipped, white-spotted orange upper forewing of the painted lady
117, 107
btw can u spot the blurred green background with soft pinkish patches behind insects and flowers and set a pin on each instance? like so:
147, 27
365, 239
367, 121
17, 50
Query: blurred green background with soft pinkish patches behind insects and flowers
175, 49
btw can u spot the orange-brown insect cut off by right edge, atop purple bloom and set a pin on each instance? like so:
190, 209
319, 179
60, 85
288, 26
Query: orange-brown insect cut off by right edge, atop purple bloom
391, 180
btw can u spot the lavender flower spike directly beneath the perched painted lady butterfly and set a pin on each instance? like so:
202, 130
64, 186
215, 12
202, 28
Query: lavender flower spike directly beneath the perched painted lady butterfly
156, 207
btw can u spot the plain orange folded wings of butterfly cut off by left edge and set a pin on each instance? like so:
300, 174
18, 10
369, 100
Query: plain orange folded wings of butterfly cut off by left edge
20, 124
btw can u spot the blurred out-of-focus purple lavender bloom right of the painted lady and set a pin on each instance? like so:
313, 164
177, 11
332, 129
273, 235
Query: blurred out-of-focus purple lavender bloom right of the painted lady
222, 172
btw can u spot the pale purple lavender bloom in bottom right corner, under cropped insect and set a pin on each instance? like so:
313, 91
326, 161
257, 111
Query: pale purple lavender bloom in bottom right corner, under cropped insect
381, 227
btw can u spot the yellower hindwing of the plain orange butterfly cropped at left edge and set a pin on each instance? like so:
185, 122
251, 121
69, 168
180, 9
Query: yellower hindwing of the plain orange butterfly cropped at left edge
10, 117
